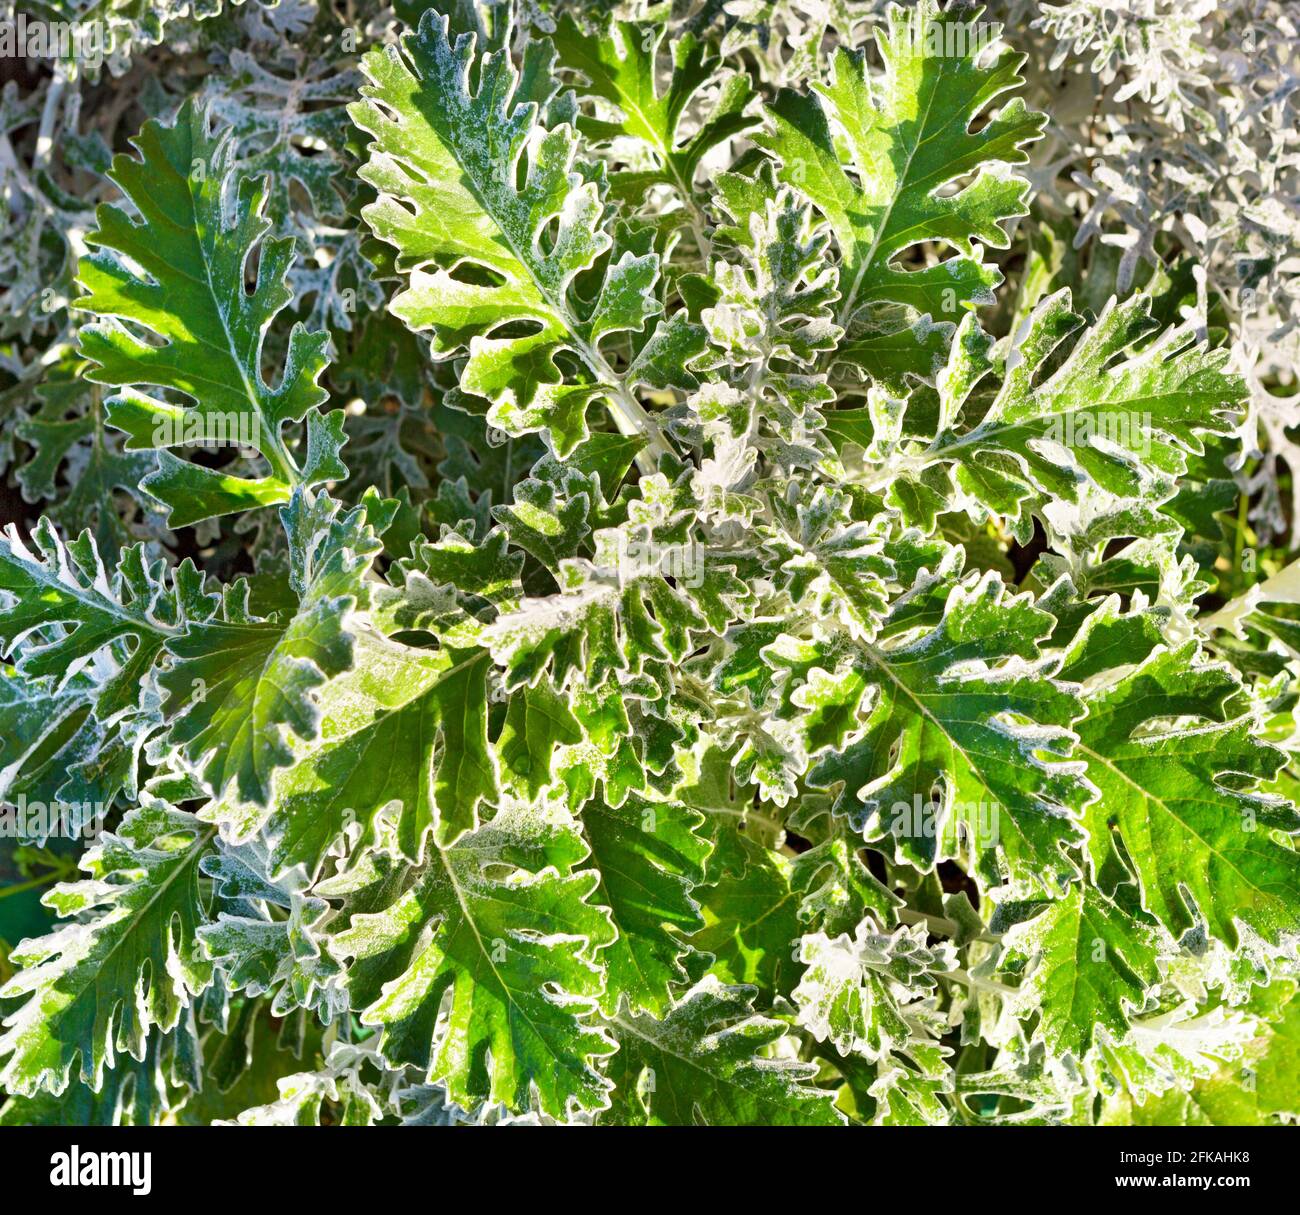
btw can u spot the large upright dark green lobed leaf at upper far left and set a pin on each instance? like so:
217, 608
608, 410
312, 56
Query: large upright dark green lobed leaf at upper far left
180, 277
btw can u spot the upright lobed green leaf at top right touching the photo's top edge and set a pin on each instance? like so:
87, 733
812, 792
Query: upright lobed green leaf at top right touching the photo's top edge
908, 134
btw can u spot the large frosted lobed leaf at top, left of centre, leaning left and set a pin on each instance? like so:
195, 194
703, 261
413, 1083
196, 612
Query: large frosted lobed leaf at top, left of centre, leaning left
466, 189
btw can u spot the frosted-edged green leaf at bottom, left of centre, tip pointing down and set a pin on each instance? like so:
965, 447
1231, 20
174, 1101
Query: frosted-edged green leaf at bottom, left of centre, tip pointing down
504, 923
